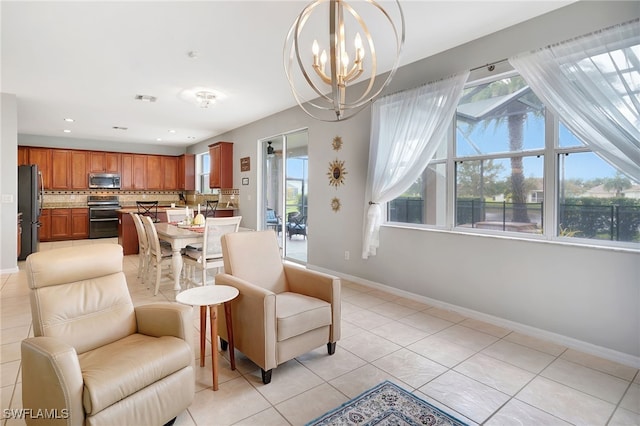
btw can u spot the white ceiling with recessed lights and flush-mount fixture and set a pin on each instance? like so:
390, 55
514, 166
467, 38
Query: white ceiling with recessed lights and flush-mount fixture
88, 60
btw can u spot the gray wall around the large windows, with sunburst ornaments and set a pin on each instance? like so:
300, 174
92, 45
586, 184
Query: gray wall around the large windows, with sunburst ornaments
585, 297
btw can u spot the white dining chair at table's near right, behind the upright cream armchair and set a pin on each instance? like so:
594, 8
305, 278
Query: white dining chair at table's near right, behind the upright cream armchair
208, 255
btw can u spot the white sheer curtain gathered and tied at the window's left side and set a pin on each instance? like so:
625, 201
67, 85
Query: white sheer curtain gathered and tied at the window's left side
406, 129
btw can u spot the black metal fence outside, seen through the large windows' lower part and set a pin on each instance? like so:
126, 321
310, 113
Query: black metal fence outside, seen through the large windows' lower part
604, 219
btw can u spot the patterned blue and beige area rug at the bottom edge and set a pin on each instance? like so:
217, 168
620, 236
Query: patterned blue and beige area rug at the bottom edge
386, 404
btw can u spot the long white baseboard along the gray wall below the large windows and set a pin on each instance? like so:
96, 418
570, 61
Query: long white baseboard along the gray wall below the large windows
569, 342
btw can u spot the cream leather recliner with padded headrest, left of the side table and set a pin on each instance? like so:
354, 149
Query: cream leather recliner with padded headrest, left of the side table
96, 359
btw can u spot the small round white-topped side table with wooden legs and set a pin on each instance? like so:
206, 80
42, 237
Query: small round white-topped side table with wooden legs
211, 296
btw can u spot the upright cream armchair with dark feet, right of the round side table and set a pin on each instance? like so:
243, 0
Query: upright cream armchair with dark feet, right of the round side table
283, 310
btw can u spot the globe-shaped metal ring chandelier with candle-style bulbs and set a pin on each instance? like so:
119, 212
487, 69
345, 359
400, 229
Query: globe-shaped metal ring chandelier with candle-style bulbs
343, 79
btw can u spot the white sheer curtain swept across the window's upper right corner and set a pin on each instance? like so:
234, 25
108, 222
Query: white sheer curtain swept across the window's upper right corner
593, 84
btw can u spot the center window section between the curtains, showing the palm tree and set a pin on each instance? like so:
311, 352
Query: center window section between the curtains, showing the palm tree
499, 157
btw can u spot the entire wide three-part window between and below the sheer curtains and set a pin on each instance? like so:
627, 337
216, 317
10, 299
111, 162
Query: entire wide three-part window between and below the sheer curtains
503, 140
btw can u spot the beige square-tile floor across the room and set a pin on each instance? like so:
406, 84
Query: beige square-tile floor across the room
480, 373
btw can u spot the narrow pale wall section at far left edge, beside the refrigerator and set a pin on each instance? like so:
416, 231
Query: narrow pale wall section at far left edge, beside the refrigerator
8, 183
